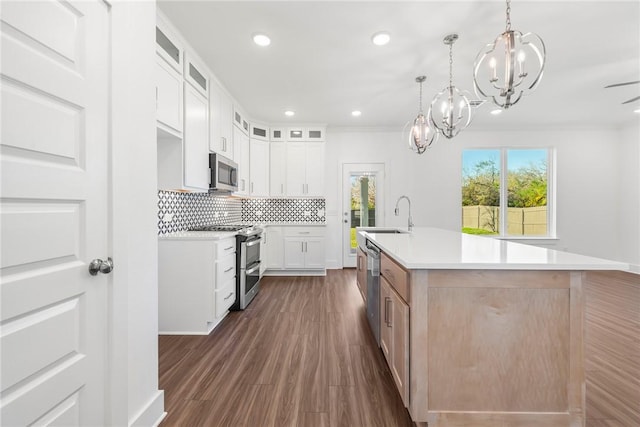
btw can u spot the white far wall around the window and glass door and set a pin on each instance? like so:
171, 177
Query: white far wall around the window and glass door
591, 163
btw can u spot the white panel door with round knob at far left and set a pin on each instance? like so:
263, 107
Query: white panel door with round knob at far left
53, 211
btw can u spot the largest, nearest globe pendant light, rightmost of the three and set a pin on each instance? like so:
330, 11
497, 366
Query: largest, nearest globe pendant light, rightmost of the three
510, 66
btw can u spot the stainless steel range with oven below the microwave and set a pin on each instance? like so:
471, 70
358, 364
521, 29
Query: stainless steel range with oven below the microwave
248, 238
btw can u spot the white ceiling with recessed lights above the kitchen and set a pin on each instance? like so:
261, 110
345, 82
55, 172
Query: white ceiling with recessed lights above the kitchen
321, 62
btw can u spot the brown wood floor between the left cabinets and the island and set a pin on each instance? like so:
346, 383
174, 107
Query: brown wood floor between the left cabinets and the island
302, 354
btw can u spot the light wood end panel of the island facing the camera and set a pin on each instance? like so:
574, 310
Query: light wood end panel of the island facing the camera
496, 348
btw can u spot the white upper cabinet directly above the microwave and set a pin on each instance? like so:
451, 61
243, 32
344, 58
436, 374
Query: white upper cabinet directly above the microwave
221, 113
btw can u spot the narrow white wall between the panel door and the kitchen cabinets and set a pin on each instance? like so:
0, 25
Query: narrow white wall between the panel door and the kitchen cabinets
134, 398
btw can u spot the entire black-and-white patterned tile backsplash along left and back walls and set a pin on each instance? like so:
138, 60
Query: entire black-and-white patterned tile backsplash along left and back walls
189, 210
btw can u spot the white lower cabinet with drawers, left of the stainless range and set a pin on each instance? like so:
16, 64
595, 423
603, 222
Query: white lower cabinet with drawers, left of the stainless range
196, 284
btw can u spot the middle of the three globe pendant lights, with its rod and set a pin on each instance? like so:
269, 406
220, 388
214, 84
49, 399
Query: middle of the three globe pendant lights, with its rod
450, 110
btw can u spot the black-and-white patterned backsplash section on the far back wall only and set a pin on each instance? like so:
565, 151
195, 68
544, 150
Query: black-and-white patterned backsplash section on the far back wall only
283, 211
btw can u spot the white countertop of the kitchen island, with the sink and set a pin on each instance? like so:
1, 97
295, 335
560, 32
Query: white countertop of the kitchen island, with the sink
433, 248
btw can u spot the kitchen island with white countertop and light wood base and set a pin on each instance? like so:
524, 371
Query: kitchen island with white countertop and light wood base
484, 332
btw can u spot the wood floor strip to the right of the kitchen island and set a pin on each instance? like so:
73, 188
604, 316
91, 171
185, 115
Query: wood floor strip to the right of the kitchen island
612, 347
